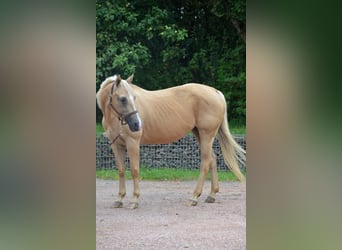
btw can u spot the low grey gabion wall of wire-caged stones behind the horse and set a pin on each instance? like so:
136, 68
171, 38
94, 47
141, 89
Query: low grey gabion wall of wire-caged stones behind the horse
181, 154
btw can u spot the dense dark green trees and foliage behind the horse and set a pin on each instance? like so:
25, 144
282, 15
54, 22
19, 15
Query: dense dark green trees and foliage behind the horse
168, 43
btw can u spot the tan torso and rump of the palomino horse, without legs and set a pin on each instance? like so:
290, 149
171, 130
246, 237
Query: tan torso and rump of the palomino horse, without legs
171, 113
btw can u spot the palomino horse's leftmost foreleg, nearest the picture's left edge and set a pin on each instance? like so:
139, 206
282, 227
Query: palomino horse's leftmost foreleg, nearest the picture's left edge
119, 152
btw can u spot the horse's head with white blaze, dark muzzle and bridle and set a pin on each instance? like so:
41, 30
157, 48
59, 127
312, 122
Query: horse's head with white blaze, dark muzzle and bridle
122, 101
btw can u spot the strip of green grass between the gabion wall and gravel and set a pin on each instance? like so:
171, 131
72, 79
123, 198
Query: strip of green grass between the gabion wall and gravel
163, 174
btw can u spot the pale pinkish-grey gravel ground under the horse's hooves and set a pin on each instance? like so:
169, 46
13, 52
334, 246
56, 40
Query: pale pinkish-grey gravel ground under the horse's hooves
163, 221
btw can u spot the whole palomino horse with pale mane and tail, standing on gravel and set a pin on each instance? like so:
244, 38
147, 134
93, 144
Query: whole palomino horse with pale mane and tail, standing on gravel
134, 116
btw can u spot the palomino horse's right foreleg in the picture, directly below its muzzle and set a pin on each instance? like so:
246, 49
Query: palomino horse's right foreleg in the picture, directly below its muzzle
133, 153
